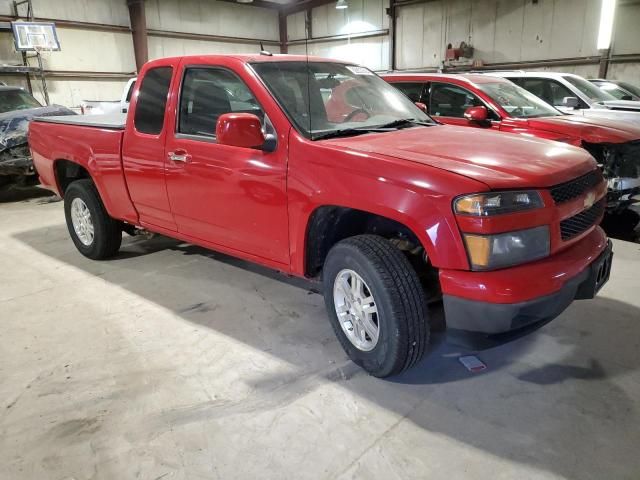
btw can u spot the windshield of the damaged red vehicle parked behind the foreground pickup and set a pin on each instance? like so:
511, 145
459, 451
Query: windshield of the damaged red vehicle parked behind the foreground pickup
517, 101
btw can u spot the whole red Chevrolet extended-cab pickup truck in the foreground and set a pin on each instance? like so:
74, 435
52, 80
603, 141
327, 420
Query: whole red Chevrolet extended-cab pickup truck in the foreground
320, 169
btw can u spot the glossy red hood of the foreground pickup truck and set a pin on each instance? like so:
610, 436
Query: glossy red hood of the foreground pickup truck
495, 159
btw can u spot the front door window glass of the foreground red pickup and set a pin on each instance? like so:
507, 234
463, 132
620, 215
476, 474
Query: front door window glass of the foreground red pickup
208, 93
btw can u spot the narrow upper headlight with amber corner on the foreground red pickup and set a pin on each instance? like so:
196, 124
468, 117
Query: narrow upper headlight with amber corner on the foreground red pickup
496, 203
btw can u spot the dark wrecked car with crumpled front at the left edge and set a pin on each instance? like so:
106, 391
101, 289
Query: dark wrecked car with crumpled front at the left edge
17, 108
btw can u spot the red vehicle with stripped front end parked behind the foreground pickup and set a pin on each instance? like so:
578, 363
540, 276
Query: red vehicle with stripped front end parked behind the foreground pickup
486, 102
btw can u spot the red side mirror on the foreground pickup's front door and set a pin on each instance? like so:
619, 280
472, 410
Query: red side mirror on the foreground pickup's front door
242, 130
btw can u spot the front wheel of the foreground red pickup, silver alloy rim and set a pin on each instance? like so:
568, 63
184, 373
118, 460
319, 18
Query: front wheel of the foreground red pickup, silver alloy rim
376, 304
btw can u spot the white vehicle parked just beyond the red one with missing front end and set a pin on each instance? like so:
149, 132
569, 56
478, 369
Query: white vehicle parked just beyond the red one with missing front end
573, 94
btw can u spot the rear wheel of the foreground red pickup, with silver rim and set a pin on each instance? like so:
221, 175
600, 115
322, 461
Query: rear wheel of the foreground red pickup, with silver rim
95, 234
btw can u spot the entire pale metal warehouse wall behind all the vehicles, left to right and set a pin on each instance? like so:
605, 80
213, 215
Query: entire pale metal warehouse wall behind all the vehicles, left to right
500, 30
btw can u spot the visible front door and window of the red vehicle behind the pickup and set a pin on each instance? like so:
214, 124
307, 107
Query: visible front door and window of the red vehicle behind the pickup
448, 102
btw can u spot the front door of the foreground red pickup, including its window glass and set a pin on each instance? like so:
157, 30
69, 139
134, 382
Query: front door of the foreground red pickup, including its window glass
231, 196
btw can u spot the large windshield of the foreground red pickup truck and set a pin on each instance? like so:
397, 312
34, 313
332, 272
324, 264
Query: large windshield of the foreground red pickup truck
322, 98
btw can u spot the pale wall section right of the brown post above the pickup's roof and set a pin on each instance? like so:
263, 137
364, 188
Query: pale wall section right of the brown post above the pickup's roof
501, 31
